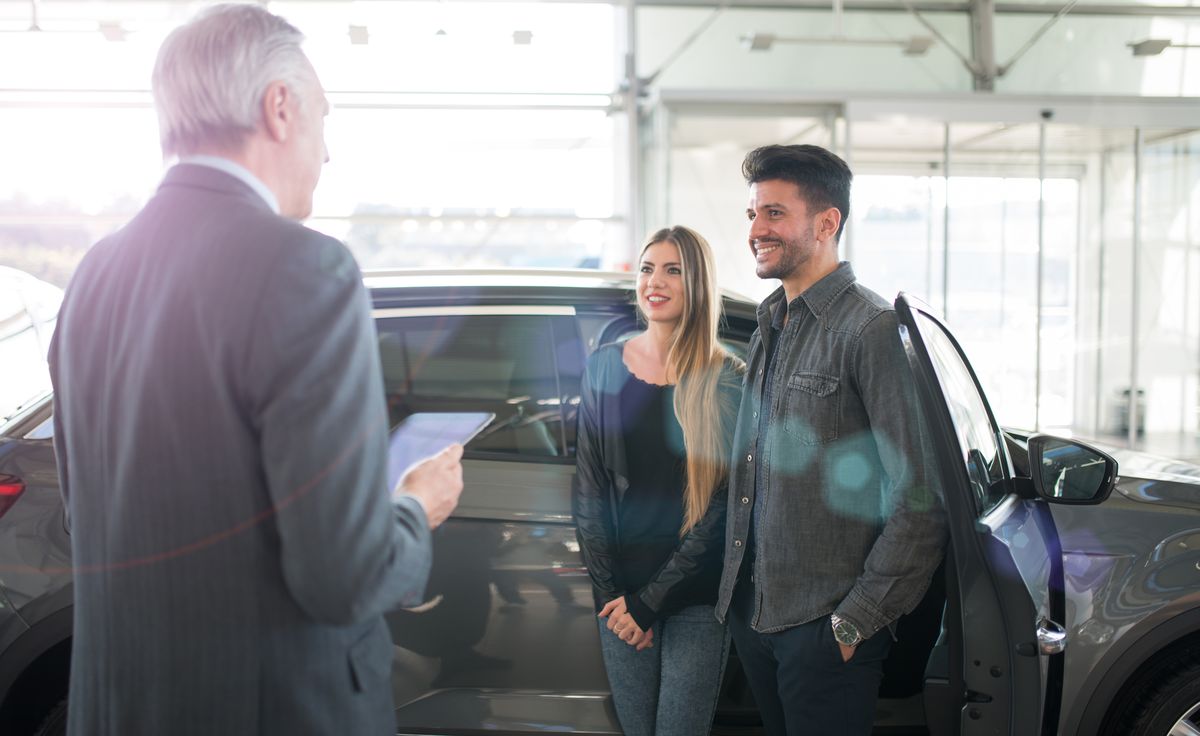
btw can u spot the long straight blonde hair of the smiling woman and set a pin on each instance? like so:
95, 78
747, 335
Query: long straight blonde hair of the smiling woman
695, 362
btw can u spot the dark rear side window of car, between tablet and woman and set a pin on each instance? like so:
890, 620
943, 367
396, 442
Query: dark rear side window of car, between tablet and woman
524, 368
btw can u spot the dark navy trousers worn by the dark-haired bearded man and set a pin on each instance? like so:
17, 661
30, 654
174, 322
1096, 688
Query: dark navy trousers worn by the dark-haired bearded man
799, 679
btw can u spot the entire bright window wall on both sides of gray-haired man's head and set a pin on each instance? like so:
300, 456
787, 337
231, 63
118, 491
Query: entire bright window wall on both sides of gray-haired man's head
478, 134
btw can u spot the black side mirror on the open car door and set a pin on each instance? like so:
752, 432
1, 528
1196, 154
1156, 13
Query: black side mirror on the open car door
1071, 472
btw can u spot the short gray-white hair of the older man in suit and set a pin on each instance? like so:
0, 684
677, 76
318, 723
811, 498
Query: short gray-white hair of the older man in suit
213, 71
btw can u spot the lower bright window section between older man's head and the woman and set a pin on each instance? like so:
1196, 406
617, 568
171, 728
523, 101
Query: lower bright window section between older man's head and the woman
395, 193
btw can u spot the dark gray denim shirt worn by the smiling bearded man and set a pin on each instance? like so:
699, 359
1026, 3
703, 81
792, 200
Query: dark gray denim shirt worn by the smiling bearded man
849, 519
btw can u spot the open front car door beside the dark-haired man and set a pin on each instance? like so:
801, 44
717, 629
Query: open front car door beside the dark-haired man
998, 667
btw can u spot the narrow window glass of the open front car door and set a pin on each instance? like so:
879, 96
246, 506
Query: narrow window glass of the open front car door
979, 438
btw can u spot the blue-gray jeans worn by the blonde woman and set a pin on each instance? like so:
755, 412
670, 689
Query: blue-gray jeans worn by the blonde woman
669, 690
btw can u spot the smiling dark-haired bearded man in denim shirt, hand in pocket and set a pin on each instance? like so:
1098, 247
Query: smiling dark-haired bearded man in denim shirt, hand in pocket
836, 524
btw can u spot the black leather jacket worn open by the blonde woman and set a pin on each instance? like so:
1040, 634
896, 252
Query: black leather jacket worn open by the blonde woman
602, 478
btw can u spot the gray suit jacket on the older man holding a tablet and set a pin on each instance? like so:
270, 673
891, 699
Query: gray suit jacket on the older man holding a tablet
221, 439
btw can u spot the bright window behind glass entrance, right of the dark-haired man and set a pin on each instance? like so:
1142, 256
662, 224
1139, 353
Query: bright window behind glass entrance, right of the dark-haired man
993, 273
